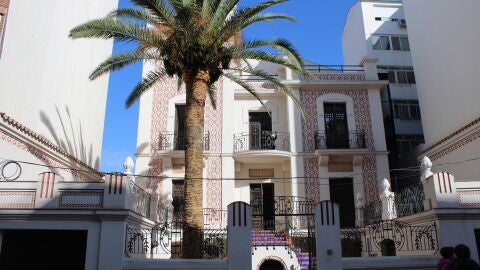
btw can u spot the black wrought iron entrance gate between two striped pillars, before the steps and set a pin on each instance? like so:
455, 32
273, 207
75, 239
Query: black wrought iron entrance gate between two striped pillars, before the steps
291, 224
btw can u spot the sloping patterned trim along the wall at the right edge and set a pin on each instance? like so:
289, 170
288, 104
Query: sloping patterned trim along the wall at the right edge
455, 140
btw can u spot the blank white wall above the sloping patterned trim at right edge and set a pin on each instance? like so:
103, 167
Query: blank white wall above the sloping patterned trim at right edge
444, 47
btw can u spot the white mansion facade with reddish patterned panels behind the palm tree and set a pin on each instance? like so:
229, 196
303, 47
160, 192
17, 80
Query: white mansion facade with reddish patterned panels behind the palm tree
255, 153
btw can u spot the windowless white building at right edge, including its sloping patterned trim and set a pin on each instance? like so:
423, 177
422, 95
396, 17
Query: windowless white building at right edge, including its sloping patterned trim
445, 57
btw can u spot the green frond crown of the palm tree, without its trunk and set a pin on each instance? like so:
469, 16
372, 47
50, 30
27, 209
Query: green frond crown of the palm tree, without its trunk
191, 35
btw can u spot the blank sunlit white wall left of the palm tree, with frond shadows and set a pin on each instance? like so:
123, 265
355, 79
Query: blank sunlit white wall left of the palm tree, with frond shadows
42, 69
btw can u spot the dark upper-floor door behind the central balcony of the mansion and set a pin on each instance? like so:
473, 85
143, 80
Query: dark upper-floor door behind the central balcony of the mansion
260, 127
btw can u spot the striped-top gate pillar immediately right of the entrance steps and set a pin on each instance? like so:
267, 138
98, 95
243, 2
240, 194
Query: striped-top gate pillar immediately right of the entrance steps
327, 230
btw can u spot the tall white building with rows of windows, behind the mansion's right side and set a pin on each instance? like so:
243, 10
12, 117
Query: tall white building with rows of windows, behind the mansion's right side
378, 29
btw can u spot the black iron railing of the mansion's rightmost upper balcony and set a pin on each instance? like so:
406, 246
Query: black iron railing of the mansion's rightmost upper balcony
340, 140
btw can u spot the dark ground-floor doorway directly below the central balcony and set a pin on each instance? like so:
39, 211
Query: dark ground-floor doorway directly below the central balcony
262, 202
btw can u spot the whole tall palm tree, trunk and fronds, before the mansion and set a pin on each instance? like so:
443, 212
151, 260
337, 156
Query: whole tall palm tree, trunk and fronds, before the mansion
196, 41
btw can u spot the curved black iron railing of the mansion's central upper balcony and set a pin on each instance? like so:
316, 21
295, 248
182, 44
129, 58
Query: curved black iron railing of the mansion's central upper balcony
264, 140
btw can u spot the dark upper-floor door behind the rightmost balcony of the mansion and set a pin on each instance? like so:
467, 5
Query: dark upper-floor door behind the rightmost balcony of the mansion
336, 127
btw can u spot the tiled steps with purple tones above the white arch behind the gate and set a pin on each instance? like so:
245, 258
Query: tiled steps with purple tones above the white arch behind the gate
280, 238
